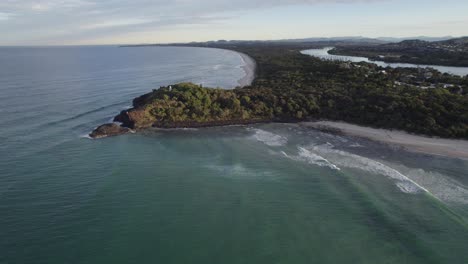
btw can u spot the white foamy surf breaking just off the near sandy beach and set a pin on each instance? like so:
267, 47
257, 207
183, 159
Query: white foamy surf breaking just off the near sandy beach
407, 180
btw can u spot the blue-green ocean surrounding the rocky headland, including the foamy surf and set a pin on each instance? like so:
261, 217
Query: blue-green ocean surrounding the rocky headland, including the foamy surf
270, 193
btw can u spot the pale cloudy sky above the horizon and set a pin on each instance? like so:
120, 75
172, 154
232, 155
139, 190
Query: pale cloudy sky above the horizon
91, 22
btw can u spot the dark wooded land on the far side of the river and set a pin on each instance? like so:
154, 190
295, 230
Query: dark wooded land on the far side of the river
452, 52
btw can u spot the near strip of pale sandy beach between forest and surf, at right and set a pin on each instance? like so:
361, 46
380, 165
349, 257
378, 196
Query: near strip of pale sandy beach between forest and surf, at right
415, 143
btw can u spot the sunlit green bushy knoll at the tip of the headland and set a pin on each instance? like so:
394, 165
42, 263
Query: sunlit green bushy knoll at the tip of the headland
187, 104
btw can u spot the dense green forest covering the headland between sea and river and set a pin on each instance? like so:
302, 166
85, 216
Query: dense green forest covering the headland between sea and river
291, 86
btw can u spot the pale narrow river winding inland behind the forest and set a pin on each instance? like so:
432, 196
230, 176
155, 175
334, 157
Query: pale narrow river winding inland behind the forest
323, 54
